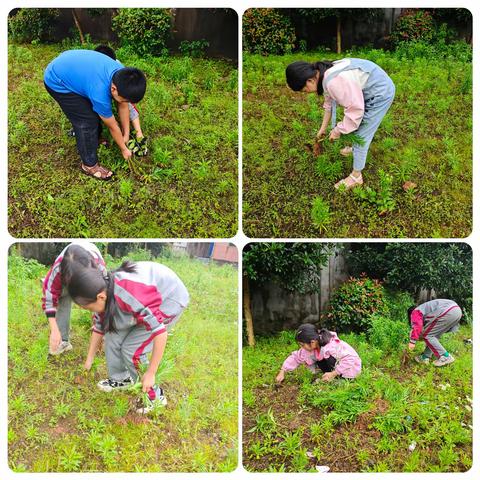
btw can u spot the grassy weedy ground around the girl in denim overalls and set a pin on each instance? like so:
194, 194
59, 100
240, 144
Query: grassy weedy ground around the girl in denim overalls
426, 139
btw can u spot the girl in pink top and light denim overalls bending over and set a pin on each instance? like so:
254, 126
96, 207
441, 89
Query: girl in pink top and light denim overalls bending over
361, 87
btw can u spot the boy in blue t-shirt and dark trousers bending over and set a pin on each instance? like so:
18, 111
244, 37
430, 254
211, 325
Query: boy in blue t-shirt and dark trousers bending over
84, 82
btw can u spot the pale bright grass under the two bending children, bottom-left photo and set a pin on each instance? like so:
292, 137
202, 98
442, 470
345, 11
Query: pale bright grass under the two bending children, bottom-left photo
60, 421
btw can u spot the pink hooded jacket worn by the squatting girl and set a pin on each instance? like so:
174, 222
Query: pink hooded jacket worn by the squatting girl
348, 363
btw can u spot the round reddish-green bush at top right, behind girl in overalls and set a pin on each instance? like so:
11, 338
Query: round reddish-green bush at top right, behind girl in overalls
413, 25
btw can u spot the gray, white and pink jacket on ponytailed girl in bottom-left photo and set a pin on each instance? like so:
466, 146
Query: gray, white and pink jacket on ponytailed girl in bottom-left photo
152, 297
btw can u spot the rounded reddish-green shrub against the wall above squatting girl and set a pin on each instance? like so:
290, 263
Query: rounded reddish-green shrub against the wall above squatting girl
353, 304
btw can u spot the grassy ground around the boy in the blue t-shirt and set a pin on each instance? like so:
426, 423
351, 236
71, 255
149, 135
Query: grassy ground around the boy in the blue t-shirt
187, 185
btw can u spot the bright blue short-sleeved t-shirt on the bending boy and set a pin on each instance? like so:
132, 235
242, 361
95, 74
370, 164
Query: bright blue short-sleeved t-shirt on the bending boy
86, 73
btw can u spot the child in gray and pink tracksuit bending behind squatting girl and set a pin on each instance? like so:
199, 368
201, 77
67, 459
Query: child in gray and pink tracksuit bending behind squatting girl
429, 322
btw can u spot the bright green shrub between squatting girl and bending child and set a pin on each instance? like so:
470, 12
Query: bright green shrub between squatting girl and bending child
386, 334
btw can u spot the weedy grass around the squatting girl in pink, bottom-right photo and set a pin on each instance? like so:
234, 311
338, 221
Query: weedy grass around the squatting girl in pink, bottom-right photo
363, 425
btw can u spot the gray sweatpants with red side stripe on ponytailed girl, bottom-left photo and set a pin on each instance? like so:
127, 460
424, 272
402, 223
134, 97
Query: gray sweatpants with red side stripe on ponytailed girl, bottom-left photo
126, 349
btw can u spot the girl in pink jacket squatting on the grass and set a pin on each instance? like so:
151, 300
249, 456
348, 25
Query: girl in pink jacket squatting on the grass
322, 350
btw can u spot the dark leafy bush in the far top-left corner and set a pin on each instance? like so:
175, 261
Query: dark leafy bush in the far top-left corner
31, 25
